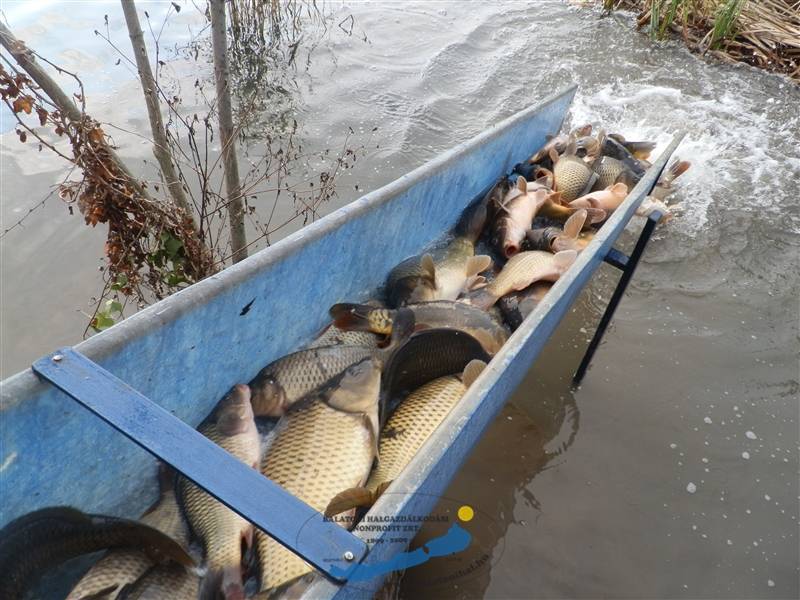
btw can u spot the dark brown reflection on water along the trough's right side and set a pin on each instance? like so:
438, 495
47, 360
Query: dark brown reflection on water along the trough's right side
529, 436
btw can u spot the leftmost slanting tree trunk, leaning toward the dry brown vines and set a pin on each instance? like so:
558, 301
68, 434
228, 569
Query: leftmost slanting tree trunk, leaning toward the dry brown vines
25, 59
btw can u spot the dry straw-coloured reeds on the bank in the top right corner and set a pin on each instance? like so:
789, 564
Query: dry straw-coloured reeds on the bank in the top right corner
762, 33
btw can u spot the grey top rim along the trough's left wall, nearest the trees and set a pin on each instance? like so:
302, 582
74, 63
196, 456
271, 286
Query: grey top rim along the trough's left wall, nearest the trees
149, 319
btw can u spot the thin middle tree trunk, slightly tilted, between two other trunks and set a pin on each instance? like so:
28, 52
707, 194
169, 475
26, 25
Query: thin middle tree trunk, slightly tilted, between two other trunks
160, 146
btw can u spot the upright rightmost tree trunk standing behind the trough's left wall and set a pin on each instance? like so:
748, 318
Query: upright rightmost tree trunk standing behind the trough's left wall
232, 185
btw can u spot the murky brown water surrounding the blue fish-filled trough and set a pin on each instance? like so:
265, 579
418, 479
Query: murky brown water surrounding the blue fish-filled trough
697, 382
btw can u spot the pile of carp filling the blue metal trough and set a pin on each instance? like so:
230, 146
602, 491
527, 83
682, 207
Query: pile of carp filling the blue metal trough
375, 384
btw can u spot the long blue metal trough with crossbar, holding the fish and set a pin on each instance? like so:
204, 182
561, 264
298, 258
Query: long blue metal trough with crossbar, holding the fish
156, 375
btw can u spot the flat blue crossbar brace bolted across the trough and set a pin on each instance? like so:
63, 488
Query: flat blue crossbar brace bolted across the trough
244, 490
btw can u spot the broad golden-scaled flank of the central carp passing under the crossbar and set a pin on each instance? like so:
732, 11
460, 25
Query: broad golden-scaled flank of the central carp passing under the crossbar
317, 452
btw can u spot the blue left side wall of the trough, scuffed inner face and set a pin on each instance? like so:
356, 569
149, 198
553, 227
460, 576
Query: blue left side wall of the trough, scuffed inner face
186, 351
